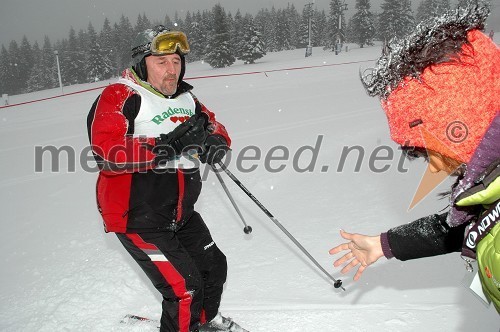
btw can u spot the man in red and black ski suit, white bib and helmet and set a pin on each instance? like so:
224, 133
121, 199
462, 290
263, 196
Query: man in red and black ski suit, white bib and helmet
148, 133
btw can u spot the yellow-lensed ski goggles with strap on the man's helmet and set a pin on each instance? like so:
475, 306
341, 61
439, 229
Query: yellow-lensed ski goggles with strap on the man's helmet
166, 42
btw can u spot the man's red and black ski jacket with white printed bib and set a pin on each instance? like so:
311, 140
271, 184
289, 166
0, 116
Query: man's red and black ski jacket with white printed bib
133, 194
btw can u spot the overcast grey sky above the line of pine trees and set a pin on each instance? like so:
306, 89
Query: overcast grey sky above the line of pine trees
35, 19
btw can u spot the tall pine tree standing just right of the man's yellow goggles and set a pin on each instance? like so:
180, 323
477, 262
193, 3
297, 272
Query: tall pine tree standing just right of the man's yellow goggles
218, 52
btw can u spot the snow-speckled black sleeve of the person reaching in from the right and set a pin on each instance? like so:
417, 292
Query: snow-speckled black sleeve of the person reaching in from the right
425, 237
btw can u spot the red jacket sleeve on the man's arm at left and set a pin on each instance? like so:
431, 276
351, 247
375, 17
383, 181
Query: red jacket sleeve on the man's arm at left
115, 148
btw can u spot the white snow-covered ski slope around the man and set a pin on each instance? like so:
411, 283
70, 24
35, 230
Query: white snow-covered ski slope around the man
61, 272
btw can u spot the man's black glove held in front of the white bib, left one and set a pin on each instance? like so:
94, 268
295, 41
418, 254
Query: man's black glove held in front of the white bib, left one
190, 133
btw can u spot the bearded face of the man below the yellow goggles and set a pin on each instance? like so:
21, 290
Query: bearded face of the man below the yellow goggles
163, 72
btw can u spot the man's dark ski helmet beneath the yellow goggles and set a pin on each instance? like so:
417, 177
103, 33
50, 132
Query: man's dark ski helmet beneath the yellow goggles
141, 48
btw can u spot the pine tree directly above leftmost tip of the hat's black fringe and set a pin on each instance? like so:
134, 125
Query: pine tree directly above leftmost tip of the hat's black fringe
362, 28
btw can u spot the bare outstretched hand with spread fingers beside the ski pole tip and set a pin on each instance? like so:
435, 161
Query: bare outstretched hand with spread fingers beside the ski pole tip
363, 250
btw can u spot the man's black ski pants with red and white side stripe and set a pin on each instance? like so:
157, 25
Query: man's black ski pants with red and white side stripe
186, 267
